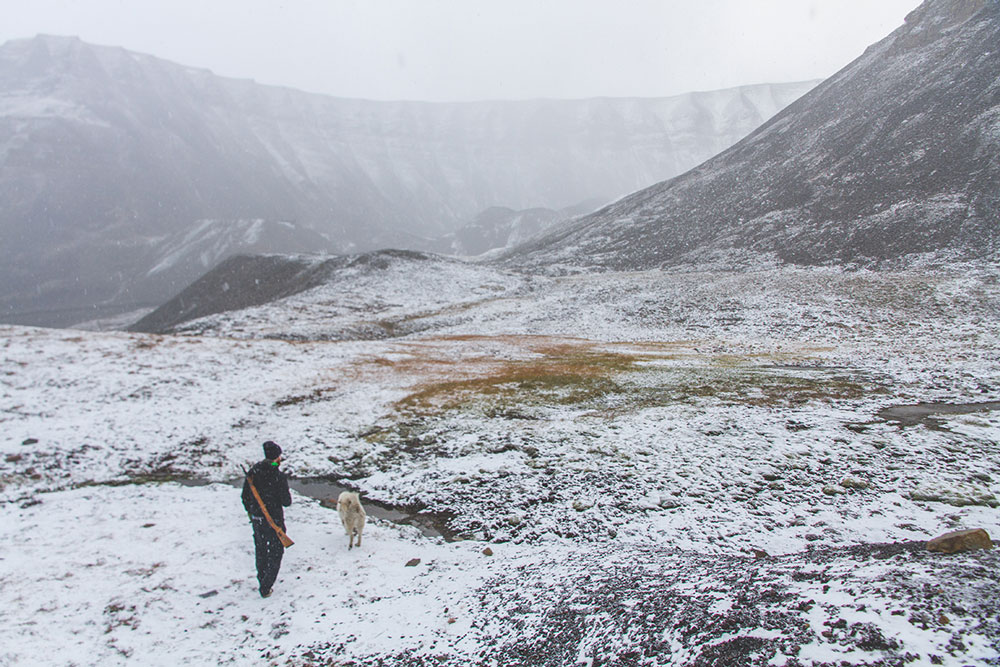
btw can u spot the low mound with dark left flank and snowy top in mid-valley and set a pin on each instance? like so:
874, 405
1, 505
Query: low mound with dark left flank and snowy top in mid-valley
362, 293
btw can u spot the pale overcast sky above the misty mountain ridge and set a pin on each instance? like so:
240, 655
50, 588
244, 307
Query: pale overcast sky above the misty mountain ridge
452, 50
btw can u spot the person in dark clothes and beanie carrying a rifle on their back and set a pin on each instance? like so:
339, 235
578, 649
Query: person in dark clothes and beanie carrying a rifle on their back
271, 485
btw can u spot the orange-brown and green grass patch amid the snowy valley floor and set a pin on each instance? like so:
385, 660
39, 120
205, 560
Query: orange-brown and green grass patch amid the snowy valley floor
515, 375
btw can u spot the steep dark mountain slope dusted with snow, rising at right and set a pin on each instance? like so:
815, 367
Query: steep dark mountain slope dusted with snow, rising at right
895, 159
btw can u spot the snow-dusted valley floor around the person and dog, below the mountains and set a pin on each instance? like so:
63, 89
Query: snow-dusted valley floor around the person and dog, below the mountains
666, 469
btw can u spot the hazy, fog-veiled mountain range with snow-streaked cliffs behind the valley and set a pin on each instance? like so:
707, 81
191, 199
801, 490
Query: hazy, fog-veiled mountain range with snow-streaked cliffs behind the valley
109, 160
